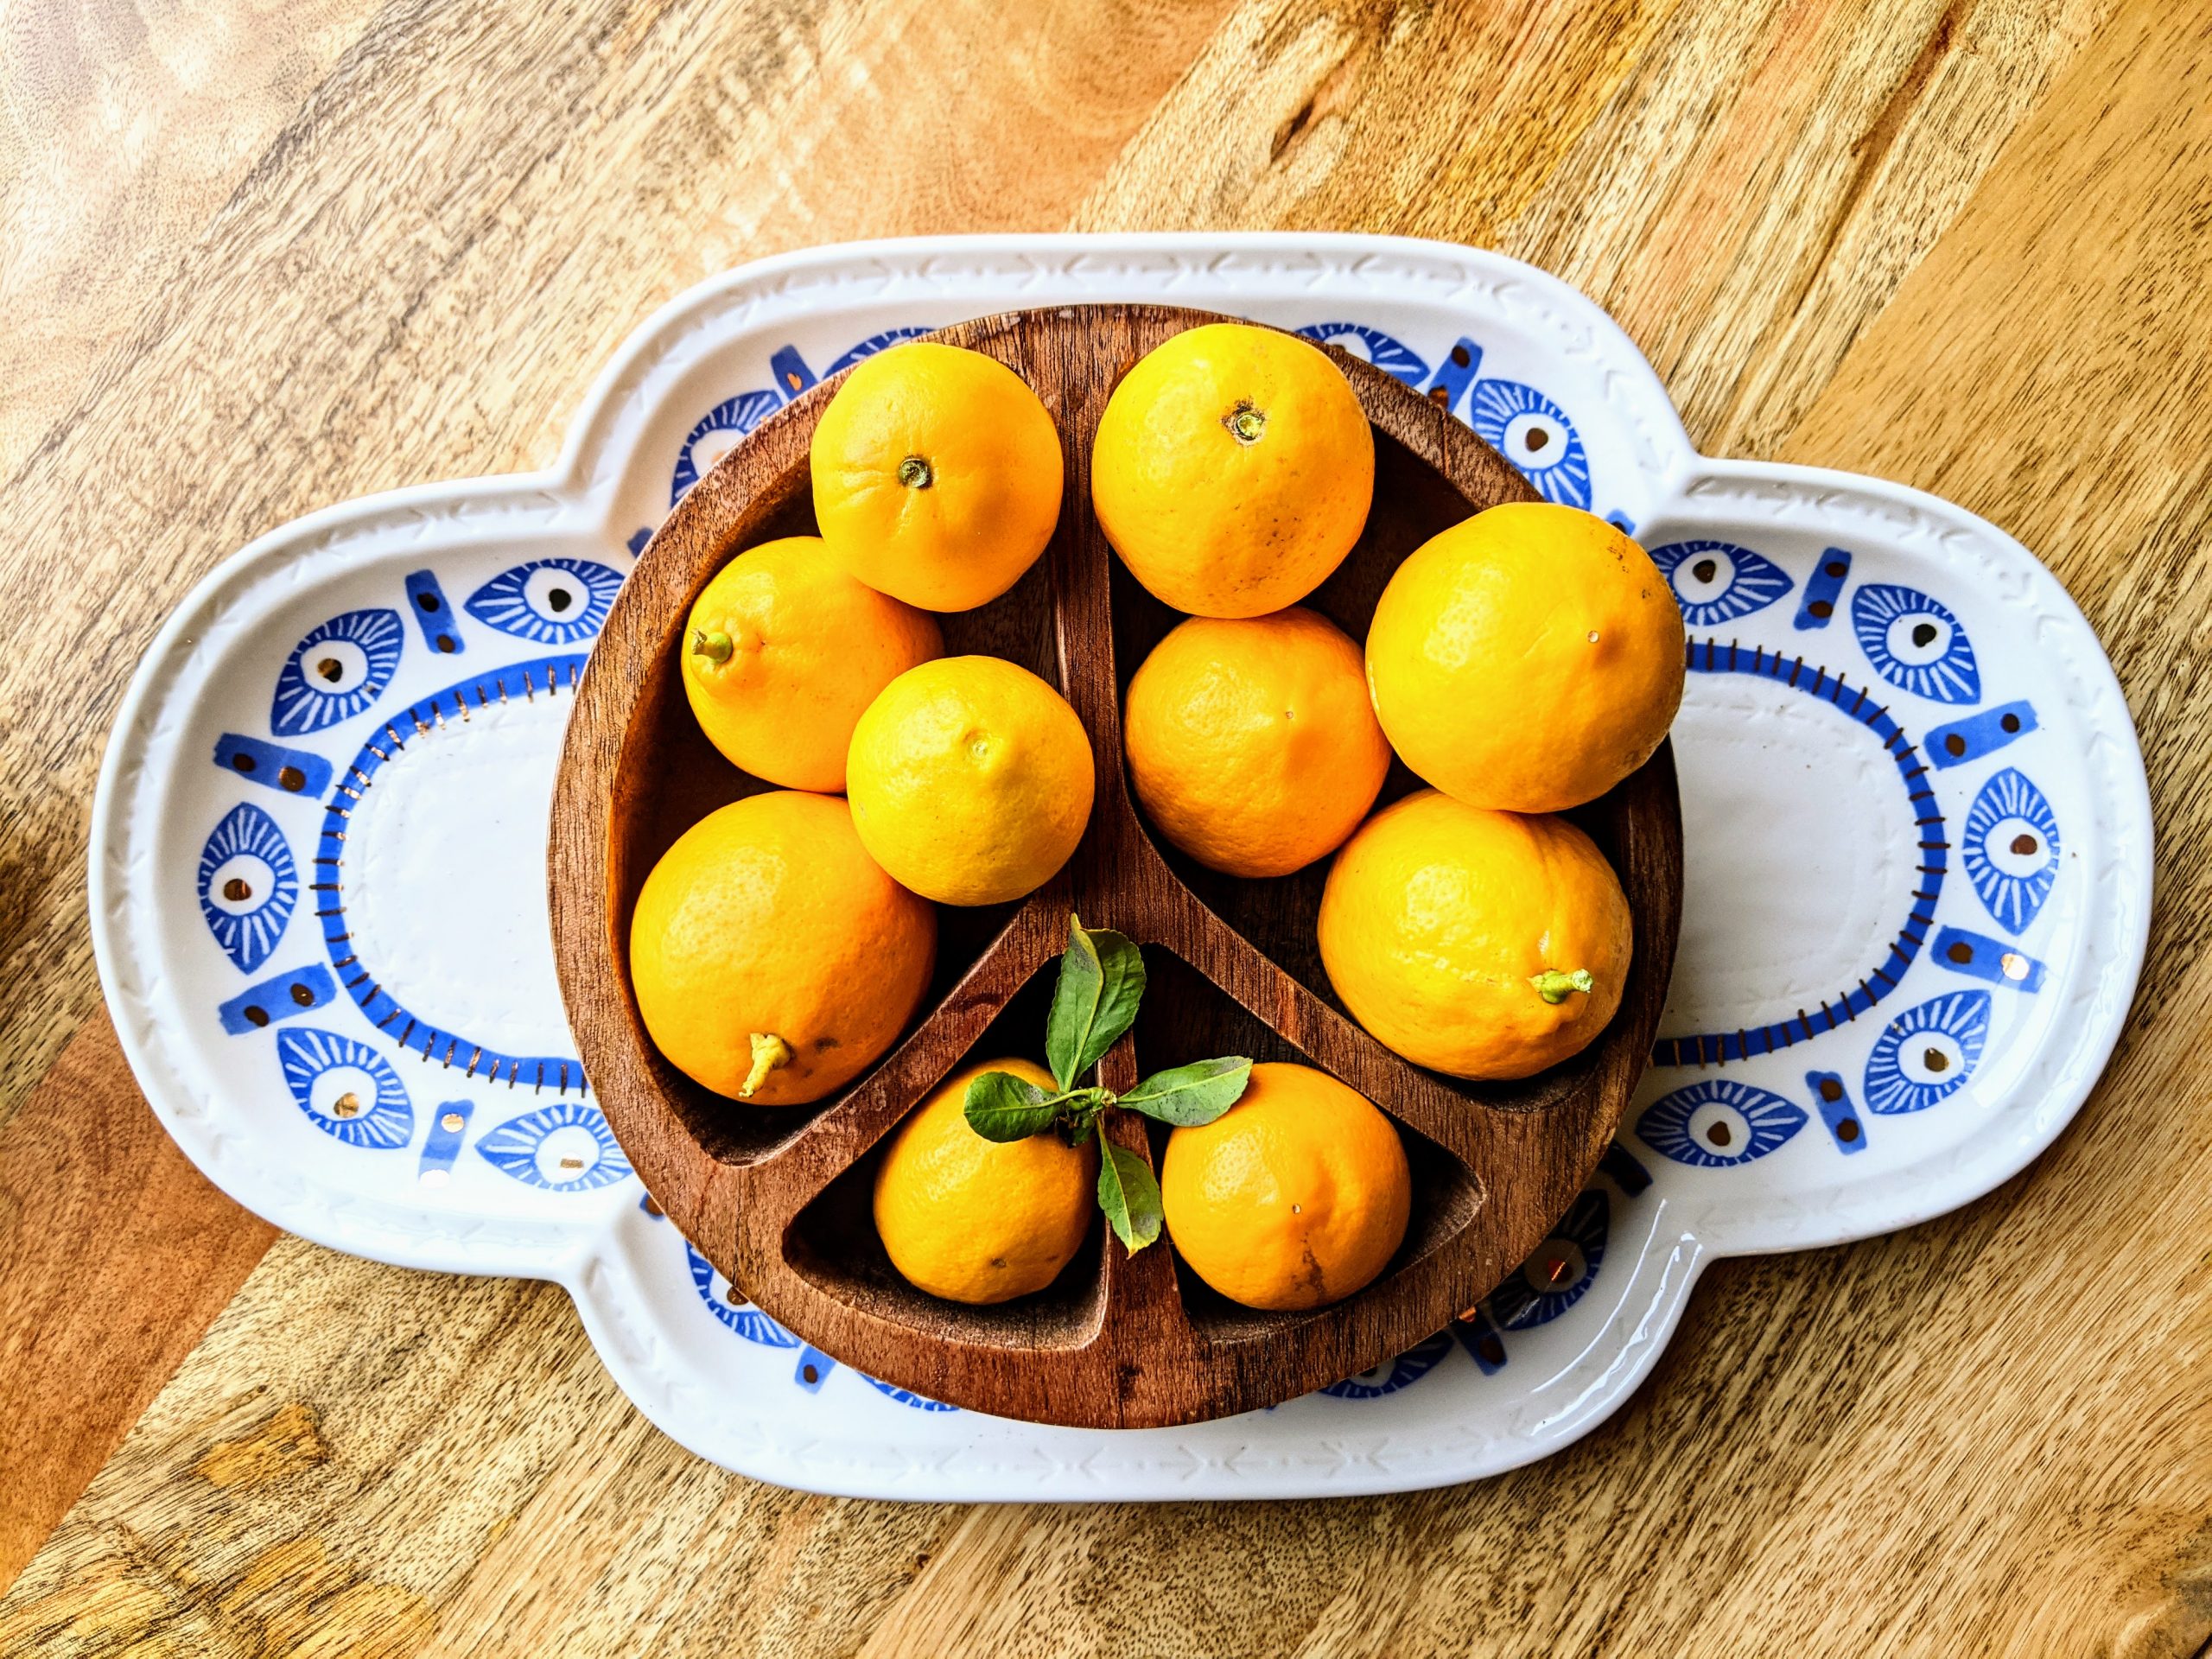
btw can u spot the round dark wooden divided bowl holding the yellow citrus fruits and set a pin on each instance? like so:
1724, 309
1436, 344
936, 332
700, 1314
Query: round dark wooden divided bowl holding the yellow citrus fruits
780, 1198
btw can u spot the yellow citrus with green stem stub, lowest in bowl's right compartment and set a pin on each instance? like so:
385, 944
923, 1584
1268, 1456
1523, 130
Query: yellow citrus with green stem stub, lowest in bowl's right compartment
1463, 937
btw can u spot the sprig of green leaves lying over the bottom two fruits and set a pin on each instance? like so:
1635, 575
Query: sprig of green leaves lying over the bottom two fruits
1094, 1003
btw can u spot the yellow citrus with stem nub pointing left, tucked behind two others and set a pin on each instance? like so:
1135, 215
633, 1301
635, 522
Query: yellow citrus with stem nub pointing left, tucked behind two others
782, 656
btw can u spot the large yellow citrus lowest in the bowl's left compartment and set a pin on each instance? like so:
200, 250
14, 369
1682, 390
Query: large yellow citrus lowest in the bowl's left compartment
771, 954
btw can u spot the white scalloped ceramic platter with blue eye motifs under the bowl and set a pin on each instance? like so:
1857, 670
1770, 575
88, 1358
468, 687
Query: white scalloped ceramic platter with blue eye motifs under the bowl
1914, 912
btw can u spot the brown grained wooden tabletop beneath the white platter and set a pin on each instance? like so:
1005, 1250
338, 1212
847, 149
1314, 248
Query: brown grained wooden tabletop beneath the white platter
278, 253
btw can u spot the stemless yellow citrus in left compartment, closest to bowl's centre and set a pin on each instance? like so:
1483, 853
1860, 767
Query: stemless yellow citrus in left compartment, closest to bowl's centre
970, 780
